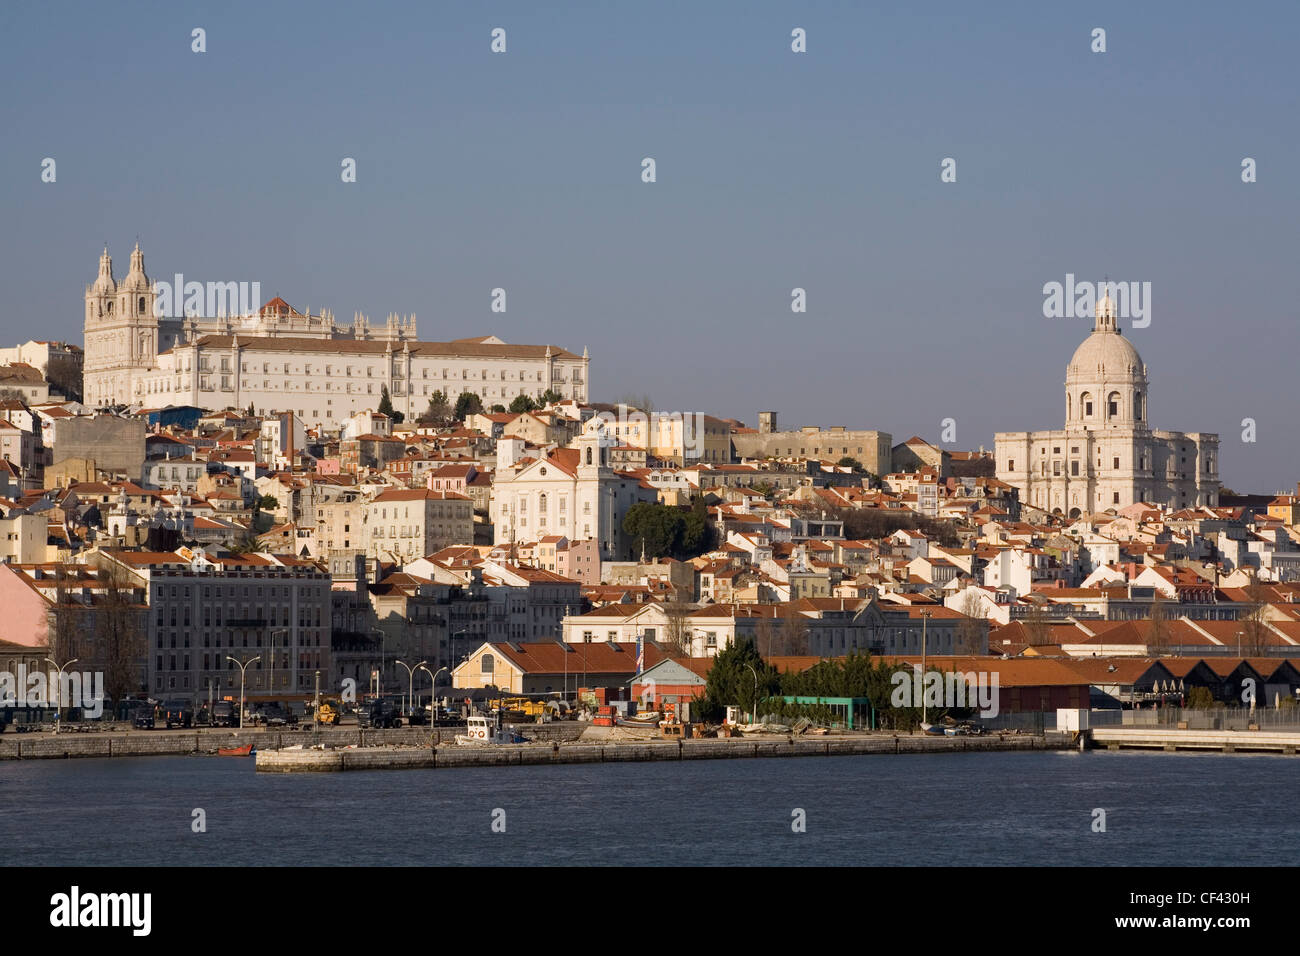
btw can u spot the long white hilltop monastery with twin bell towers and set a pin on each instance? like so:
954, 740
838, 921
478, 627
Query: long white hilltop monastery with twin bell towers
280, 360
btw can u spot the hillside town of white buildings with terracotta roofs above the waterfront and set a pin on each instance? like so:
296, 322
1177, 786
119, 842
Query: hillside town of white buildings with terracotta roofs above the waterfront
340, 503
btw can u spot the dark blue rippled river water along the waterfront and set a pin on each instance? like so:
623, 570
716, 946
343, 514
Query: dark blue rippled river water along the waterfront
957, 810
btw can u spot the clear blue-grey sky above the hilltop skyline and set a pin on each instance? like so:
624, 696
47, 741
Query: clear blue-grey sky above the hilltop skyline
775, 171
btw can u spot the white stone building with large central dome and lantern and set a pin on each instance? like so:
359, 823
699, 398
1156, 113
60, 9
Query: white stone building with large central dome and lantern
1108, 457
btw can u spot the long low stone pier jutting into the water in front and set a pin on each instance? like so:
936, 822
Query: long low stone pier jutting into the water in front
652, 750
